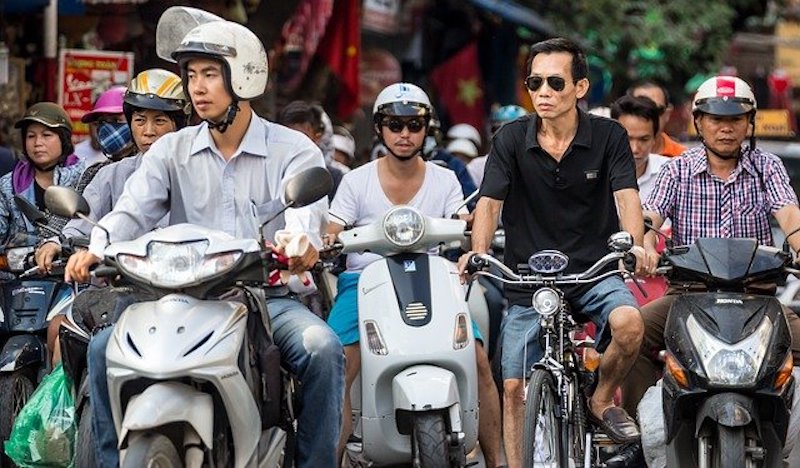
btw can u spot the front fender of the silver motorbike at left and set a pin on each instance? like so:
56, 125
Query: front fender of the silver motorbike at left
169, 402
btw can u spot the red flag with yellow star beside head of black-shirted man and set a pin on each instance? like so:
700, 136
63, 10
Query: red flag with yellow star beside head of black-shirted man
460, 87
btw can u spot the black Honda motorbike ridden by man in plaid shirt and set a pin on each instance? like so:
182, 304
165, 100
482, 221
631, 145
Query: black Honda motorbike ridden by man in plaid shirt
728, 382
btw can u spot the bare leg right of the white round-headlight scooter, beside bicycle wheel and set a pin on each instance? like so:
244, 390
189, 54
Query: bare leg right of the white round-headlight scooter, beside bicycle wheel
489, 409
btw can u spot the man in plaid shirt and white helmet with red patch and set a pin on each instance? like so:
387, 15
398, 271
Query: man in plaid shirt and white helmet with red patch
723, 188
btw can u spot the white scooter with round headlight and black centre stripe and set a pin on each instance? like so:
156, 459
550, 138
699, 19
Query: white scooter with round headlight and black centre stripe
418, 385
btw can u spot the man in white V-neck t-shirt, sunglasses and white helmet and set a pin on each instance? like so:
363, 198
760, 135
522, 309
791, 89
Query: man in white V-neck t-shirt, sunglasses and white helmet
401, 116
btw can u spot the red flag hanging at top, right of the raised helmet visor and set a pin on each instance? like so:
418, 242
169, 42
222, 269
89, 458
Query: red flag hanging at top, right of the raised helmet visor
340, 49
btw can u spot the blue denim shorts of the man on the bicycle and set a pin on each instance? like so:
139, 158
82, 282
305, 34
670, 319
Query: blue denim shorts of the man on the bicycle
521, 325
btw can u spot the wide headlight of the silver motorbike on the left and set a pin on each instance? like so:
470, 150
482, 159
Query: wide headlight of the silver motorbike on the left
172, 265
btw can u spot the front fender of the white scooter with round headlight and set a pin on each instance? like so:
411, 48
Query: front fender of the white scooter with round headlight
424, 388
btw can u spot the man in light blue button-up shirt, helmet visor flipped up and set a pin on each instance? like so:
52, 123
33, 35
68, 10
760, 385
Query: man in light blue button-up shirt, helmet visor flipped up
222, 174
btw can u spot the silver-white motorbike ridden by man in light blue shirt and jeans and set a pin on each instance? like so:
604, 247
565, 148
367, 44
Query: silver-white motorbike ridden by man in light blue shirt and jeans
183, 374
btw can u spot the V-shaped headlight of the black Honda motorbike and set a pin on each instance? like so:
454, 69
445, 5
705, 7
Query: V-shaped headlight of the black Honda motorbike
730, 364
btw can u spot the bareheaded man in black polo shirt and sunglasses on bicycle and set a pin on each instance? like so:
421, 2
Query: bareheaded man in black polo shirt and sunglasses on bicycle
563, 180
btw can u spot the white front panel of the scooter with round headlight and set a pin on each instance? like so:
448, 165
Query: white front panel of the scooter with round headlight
431, 344
